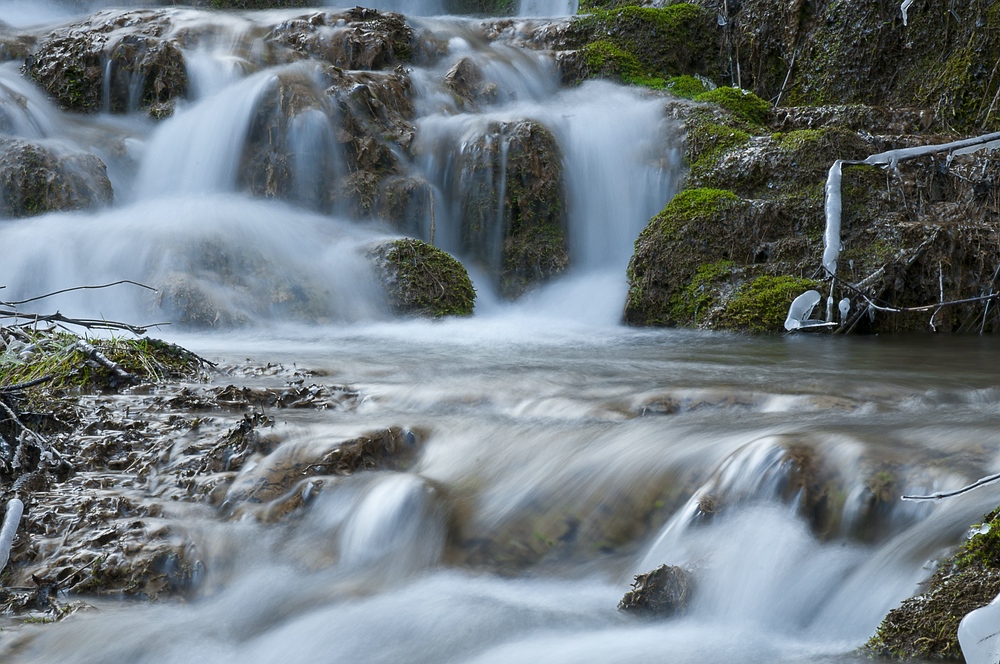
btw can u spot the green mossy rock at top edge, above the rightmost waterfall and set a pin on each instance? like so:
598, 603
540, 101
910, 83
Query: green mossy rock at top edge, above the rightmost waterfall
647, 45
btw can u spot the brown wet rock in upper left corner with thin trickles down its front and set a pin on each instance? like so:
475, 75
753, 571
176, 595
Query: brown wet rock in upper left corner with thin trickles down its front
120, 61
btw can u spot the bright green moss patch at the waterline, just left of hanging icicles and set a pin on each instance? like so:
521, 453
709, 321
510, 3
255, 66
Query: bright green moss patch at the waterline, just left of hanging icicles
761, 305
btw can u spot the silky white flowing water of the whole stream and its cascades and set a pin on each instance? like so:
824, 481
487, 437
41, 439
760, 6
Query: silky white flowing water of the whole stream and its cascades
559, 452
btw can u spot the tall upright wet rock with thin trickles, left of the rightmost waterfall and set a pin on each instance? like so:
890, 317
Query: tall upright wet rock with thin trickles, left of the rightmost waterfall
523, 242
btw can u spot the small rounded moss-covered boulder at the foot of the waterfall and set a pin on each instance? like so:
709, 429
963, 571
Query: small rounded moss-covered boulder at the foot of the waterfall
421, 280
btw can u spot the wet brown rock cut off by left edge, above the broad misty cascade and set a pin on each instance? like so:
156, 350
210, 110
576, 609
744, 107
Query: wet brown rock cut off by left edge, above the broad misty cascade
36, 178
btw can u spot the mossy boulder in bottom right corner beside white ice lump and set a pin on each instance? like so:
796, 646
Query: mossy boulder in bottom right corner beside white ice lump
926, 626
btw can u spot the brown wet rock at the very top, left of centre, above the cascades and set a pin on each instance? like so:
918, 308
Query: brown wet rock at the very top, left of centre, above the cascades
358, 39
